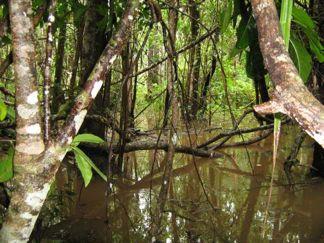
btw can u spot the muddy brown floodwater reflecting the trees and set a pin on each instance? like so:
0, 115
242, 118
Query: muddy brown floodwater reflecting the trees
295, 213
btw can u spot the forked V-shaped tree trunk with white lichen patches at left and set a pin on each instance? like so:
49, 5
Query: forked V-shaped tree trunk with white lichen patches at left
36, 167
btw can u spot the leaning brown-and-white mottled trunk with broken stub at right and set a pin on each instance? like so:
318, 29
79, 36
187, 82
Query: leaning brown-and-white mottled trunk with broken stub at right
290, 96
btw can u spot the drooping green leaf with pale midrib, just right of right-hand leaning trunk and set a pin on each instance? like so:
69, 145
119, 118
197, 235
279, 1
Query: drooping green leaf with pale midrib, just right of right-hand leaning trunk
302, 60
